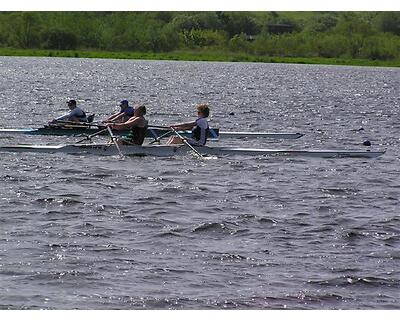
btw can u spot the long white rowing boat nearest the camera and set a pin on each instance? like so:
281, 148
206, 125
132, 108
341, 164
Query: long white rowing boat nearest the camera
171, 150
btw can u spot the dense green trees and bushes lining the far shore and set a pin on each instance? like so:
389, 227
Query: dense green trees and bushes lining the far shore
365, 35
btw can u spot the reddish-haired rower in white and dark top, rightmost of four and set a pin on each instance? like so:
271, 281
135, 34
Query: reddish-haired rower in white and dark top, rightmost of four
199, 127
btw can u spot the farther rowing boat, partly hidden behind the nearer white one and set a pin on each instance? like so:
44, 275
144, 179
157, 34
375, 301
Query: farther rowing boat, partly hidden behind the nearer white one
154, 133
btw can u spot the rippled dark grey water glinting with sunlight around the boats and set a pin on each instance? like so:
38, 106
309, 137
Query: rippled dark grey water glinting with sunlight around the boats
88, 232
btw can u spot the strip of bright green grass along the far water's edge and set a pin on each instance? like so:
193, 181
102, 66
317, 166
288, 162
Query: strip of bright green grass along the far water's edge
195, 56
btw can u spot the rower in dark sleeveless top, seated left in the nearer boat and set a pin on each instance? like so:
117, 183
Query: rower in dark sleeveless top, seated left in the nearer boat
137, 125
